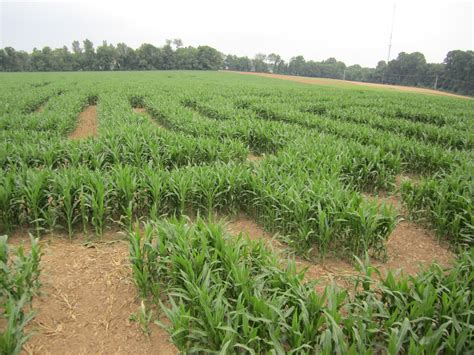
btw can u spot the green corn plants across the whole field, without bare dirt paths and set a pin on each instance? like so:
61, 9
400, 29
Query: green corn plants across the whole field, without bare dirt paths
176, 144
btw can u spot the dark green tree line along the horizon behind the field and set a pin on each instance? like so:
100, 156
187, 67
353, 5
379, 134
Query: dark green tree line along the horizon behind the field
455, 74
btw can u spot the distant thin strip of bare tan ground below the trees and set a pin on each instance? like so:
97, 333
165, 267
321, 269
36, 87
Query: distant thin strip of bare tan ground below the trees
337, 82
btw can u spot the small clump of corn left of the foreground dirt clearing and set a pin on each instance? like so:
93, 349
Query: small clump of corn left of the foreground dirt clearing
19, 283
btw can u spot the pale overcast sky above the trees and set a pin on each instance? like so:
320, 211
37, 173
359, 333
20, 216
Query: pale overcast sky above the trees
356, 32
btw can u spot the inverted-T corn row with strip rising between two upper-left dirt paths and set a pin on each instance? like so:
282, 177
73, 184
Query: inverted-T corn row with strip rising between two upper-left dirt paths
132, 141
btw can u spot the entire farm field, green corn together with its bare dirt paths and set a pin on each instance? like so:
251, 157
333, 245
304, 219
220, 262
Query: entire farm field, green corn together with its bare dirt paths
190, 211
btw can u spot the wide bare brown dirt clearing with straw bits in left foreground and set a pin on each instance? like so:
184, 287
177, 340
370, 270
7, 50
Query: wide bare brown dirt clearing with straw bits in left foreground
87, 297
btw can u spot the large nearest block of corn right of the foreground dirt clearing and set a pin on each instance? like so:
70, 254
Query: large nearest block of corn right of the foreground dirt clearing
227, 295
